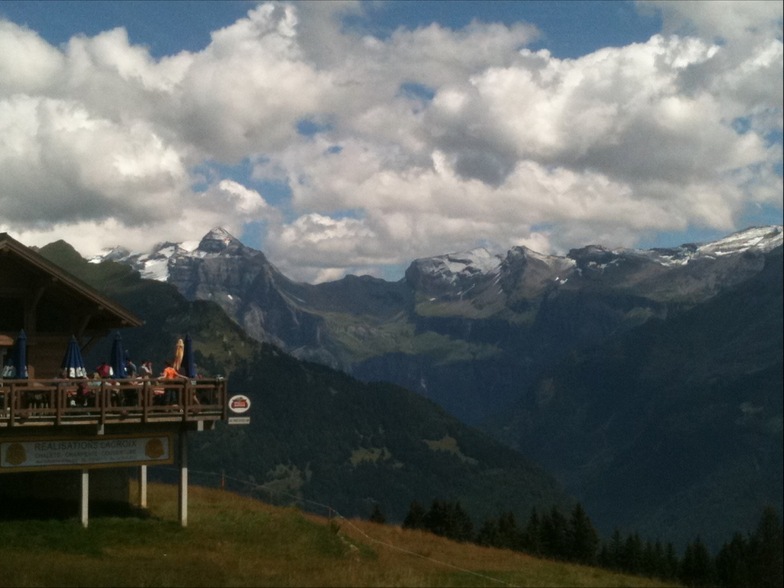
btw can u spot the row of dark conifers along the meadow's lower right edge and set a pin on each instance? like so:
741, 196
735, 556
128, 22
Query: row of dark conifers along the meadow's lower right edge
747, 560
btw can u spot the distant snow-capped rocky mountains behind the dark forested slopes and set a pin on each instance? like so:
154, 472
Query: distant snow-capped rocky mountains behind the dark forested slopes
469, 330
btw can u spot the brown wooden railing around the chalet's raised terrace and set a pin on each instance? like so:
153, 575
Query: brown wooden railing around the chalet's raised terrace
63, 402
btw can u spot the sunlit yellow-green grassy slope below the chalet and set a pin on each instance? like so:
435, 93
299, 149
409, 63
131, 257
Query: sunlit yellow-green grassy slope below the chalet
232, 540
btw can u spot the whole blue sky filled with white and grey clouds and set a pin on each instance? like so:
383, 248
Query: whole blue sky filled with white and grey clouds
353, 137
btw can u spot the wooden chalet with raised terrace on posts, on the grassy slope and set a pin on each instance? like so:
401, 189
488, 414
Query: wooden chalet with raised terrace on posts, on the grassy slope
53, 448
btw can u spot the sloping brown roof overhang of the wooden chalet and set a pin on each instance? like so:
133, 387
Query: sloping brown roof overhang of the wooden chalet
40, 278
